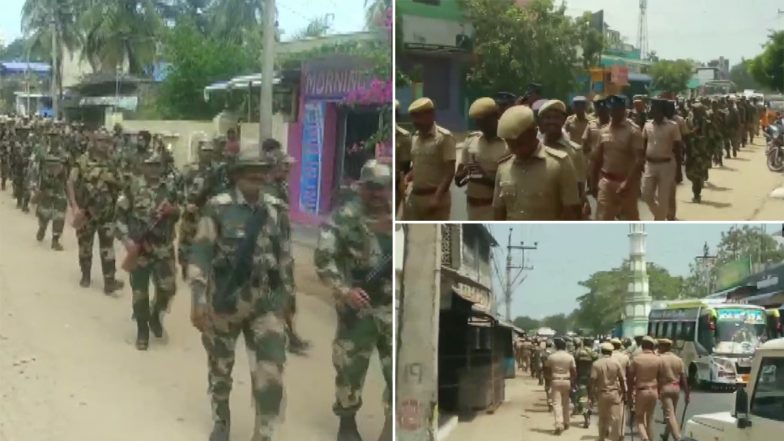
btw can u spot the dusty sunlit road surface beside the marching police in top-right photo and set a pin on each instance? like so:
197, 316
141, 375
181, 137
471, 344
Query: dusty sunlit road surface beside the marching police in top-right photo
738, 191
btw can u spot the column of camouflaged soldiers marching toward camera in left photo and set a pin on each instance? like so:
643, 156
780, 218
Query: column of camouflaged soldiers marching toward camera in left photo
229, 214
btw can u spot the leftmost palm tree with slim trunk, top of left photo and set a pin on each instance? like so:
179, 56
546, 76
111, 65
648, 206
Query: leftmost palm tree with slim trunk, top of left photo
40, 18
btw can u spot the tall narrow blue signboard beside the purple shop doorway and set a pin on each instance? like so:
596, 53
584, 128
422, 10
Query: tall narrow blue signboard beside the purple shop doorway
312, 148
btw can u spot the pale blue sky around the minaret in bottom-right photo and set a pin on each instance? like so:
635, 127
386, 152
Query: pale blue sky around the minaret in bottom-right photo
568, 254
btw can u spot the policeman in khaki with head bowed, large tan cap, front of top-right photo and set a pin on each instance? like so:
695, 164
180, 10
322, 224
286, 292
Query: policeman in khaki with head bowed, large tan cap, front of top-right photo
534, 182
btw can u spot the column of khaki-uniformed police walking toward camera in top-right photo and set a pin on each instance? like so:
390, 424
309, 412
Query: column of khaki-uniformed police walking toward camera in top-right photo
529, 161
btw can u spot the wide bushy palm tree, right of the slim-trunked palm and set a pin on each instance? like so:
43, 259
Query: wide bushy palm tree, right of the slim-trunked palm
120, 31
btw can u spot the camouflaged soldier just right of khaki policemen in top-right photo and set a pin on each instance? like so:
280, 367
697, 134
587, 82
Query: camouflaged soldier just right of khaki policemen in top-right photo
698, 157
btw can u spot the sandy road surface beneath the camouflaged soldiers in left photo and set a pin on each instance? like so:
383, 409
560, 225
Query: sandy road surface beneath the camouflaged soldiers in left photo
69, 370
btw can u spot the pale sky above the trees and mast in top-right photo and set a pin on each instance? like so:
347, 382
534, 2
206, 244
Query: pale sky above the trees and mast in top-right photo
699, 29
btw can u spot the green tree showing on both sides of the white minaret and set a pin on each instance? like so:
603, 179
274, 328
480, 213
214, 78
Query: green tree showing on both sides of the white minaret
601, 307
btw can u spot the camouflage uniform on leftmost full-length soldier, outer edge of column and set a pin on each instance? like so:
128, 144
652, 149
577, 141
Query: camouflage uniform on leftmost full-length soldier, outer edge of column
48, 183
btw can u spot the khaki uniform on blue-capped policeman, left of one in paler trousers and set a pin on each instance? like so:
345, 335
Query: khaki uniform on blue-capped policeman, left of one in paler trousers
619, 147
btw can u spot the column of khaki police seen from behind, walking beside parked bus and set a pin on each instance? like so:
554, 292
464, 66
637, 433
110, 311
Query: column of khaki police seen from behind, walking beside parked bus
622, 380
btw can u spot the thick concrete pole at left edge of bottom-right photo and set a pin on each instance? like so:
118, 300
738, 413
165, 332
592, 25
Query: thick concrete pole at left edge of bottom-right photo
416, 391
